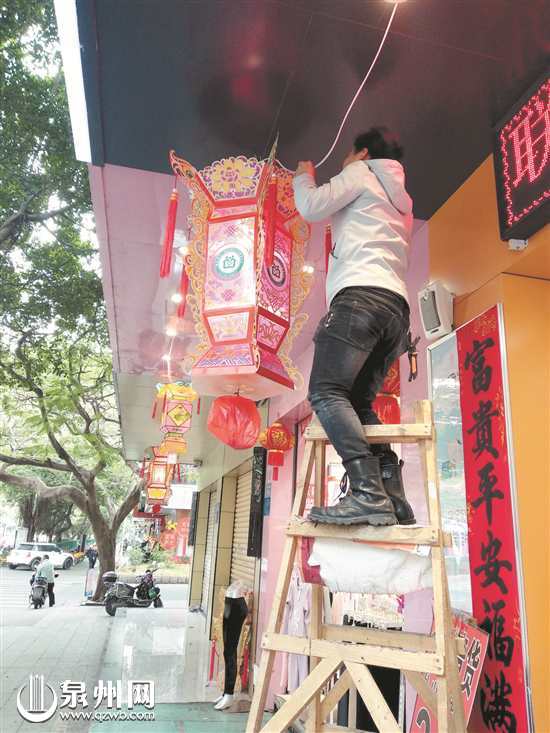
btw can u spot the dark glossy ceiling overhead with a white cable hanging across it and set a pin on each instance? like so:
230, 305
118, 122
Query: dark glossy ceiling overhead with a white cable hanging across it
212, 78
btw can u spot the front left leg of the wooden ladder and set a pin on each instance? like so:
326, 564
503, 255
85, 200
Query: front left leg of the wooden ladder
261, 686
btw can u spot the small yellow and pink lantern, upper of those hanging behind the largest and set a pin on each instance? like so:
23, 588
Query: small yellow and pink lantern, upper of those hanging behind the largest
177, 411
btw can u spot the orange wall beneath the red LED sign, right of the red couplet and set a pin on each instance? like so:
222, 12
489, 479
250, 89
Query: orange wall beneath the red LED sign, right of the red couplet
466, 253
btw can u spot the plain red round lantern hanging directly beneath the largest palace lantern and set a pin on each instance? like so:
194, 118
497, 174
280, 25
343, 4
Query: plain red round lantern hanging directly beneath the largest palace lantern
235, 421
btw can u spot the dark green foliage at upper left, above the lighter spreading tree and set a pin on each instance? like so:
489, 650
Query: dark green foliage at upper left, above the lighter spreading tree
48, 271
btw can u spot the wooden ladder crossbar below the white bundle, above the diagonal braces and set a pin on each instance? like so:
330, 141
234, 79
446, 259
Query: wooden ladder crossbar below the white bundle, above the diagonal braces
415, 661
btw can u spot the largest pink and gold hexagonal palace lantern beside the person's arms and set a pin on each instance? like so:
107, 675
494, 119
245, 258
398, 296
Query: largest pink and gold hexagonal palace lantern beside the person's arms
245, 267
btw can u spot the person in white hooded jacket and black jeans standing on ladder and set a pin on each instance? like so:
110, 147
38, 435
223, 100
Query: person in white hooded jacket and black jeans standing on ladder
367, 324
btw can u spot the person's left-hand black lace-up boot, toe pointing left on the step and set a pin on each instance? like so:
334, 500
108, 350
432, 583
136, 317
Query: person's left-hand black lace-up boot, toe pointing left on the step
365, 503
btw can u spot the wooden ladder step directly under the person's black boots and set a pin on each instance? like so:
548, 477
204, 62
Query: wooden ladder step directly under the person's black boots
397, 534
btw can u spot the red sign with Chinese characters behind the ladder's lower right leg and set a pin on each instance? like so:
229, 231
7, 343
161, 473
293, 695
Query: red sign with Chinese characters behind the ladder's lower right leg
469, 672
